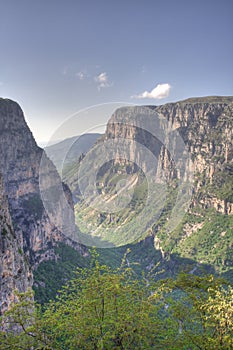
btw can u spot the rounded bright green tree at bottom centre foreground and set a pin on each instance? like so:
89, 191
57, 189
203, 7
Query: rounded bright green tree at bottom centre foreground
102, 309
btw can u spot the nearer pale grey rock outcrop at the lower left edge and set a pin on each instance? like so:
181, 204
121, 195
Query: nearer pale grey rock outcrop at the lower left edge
15, 272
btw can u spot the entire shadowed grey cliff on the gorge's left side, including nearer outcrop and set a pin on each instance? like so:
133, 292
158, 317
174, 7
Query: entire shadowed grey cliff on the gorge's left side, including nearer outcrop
27, 227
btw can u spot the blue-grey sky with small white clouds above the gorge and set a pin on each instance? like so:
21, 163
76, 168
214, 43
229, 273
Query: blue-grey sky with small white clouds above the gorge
58, 57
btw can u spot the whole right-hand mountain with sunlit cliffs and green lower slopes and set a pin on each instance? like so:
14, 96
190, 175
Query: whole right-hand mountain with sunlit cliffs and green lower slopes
204, 233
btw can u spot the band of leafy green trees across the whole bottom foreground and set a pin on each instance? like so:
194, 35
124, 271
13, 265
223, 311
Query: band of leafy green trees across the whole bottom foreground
102, 308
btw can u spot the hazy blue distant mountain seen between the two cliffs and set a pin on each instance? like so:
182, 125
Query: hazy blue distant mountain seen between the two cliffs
69, 150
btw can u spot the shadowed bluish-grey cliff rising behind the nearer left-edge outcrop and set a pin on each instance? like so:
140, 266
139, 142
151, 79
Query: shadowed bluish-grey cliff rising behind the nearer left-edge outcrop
20, 167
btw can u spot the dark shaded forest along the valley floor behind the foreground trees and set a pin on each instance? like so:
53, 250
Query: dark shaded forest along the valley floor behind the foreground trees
51, 275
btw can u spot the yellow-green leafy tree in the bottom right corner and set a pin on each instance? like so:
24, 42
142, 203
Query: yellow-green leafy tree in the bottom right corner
203, 307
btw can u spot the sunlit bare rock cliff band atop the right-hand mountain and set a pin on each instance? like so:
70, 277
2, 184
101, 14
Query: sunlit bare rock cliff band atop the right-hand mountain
205, 125
